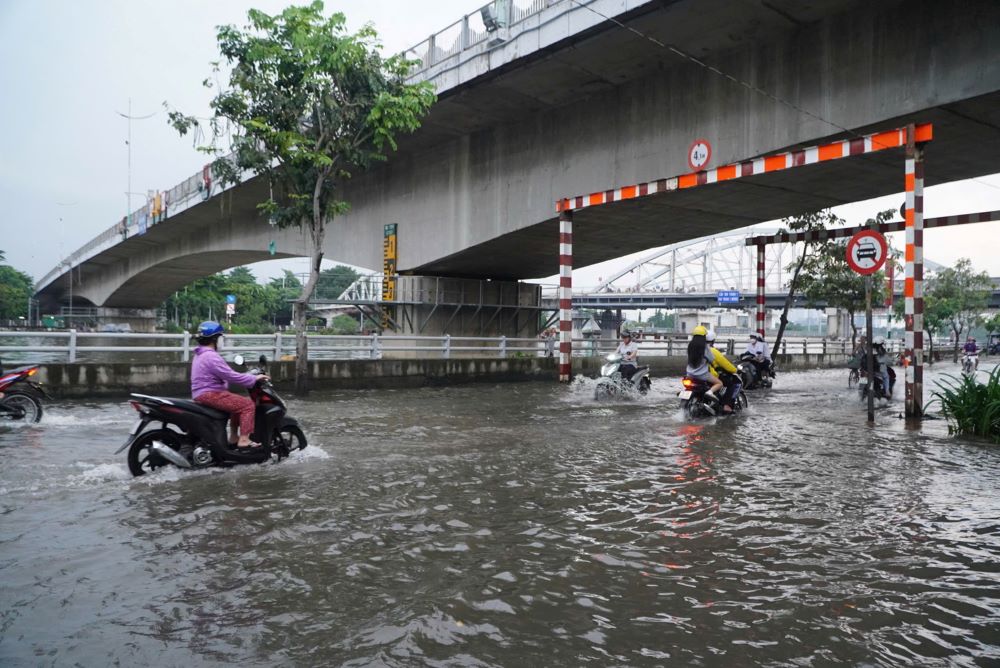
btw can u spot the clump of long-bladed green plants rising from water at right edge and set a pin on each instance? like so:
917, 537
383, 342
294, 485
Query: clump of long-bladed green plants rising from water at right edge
971, 407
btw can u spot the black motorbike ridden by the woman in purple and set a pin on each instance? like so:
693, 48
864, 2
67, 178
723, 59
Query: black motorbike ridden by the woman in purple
193, 436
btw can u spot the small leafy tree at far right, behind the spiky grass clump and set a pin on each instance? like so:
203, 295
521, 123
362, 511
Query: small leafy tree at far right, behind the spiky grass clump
961, 294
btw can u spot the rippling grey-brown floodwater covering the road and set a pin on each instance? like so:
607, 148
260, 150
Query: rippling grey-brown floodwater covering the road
511, 525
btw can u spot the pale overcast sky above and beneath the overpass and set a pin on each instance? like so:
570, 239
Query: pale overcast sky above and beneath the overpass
68, 67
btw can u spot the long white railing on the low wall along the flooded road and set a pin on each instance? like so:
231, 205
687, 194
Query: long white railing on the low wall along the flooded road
71, 345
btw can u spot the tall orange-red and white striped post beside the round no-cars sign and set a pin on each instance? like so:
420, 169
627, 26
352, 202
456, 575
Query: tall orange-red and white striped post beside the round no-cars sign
913, 287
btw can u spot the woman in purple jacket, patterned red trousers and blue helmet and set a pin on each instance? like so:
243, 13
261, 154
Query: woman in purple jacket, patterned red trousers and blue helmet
210, 376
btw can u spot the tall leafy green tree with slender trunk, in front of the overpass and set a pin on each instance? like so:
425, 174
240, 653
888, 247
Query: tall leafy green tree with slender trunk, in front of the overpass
308, 104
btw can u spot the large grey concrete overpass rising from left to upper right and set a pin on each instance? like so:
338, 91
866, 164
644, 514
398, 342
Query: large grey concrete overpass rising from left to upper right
566, 101
